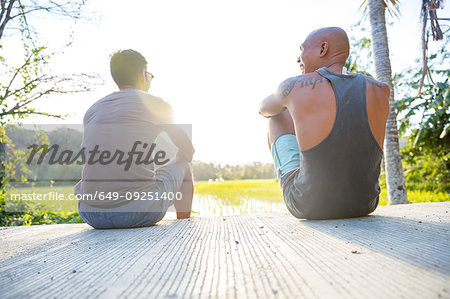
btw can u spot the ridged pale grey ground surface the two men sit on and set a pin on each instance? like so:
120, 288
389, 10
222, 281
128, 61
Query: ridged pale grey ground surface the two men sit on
399, 251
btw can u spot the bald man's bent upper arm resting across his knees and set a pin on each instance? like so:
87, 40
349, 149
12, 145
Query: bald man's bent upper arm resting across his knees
275, 103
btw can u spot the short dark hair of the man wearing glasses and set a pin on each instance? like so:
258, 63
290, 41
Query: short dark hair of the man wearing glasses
126, 65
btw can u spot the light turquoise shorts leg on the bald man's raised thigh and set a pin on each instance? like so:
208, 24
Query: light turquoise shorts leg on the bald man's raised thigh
286, 157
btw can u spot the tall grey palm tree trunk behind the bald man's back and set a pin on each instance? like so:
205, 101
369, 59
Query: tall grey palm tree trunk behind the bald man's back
395, 180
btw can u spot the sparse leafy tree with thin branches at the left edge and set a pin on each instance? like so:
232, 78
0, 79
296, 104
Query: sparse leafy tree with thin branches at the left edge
24, 83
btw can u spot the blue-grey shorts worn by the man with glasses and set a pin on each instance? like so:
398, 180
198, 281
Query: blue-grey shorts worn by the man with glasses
137, 213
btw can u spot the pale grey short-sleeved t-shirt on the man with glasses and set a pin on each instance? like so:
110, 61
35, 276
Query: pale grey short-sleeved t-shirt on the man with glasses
115, 124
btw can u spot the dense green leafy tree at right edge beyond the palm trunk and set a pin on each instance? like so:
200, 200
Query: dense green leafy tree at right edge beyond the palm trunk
426, 119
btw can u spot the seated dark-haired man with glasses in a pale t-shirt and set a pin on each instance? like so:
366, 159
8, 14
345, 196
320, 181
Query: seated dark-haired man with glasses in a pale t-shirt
126, 180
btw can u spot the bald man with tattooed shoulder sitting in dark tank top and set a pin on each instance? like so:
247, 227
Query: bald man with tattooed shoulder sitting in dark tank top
326, 132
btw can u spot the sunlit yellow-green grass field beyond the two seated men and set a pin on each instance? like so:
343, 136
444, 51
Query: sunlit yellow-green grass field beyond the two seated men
218, 198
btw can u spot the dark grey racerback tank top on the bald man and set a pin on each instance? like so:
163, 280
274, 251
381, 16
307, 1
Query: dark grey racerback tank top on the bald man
339, 176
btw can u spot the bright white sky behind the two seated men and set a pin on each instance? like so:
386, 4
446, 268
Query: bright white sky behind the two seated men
213, 61
